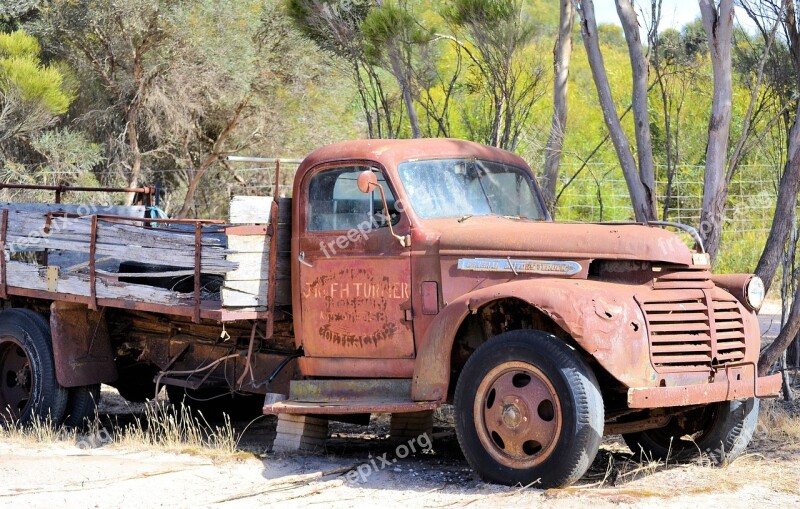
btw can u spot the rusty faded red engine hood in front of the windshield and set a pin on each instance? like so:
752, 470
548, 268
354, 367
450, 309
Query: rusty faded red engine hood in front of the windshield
499, 236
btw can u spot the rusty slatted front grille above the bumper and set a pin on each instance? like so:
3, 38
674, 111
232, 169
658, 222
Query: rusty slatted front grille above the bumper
684, 334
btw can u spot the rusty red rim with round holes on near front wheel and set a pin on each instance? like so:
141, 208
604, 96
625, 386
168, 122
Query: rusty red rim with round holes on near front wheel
517, 415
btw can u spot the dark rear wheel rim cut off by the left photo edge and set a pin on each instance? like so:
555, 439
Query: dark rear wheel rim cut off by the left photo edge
16, 379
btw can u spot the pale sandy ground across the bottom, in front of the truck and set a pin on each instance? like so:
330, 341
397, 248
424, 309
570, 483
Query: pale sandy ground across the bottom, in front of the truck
63, 475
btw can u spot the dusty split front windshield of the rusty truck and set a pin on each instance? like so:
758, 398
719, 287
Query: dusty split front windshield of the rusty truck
468, 187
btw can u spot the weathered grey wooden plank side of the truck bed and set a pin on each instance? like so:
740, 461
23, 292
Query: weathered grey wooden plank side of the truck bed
85, 253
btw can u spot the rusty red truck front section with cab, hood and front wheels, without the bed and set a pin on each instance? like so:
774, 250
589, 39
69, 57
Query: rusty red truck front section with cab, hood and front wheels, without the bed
427, 272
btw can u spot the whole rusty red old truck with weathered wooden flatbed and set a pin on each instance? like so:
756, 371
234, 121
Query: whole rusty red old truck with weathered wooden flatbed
401, 276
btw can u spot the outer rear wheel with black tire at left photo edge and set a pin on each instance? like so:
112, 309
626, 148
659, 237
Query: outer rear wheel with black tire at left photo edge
28, 386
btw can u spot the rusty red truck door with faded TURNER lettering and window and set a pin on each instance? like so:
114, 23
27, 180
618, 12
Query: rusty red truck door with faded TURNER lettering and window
354, 276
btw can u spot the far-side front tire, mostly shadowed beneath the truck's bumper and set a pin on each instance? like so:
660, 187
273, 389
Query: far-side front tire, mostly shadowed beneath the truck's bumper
720, 430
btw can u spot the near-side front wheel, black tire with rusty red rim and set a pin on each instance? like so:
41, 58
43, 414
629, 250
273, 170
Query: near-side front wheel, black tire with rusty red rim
551, 446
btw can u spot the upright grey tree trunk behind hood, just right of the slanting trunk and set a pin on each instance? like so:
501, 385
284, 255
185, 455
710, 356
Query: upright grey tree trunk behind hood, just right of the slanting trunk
641, 118
